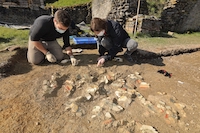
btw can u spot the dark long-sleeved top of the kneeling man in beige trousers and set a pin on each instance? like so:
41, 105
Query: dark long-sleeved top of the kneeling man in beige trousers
43, 29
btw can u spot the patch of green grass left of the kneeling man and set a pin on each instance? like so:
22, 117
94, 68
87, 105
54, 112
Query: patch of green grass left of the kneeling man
13, 37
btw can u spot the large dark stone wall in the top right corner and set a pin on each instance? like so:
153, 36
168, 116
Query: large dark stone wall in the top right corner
181, 16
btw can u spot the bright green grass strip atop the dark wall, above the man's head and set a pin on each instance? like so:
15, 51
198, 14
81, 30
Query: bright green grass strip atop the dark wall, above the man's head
65, 3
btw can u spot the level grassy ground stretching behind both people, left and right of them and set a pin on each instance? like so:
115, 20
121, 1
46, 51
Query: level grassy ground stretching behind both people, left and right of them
20, 37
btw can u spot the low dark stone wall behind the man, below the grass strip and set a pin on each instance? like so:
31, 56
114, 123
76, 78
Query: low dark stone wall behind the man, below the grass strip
26, 16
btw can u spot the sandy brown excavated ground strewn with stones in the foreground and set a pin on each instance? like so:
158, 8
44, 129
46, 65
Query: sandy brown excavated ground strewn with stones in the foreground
168, 105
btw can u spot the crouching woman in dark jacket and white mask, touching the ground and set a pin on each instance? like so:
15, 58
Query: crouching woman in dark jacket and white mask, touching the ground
111, 38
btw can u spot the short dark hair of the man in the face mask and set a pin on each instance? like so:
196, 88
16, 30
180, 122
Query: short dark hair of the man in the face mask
63, 17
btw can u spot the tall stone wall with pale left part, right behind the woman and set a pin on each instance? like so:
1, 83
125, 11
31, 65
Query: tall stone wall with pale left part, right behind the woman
119, 10
